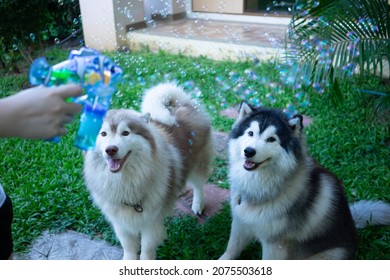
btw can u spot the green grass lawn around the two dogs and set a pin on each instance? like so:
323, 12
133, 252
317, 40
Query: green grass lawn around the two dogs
45, 180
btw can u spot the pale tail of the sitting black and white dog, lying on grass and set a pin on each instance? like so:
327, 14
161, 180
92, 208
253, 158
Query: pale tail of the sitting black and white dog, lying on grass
366, 212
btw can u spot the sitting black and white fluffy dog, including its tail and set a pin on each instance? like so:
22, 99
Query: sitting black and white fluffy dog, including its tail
282, 198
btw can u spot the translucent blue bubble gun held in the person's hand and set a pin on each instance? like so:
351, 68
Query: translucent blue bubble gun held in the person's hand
98, 76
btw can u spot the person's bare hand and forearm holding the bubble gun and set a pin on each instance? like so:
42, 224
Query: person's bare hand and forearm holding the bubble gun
39, 112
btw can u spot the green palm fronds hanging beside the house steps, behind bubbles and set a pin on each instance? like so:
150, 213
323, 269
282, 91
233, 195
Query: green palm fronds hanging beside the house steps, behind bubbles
330, 40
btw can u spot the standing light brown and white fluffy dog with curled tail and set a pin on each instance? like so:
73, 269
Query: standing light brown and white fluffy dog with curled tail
142, 161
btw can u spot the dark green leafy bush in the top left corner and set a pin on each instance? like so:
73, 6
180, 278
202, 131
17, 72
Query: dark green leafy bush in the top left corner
27, 27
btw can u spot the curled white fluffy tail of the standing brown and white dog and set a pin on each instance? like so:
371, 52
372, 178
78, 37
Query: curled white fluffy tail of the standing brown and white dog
161, 102
